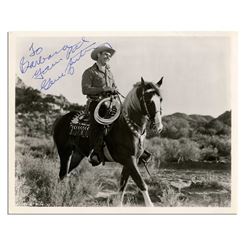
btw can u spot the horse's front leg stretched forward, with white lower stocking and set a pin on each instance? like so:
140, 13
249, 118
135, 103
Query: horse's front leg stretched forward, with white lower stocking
131, 164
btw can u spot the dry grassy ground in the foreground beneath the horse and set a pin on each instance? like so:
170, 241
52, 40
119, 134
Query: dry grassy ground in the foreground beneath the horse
37, 168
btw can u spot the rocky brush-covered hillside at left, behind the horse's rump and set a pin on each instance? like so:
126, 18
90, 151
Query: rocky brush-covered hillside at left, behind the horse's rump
36, 112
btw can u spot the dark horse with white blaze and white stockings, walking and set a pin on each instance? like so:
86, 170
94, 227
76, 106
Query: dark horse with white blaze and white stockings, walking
124, 141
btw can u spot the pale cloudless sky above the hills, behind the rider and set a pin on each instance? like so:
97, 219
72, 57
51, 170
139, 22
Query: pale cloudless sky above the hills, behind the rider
197, 68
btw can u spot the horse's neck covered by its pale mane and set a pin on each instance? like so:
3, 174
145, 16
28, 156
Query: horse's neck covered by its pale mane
132, 108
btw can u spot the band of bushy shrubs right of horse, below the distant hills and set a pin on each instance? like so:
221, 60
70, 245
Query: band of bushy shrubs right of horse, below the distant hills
199, 147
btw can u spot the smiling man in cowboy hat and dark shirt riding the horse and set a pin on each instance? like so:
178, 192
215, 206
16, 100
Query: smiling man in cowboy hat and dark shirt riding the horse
97, 83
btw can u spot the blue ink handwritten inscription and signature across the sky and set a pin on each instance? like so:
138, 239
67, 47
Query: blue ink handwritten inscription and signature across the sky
40, 65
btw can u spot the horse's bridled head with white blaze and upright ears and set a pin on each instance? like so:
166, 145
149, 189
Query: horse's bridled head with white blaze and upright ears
150, 101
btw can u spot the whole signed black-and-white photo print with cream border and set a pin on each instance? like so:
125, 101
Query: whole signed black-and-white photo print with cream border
122, 122
